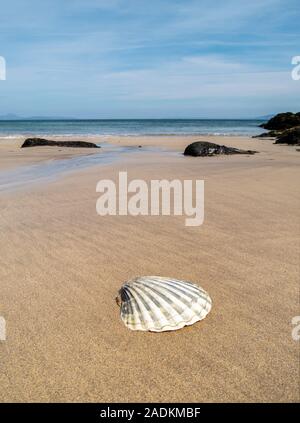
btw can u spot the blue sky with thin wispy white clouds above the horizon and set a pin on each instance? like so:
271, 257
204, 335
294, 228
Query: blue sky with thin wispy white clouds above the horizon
149, 58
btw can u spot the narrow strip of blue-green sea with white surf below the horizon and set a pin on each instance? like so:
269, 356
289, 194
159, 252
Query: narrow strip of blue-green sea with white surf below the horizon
129, 127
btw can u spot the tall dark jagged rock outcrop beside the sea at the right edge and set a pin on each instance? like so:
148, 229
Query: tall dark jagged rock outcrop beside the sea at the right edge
285, 127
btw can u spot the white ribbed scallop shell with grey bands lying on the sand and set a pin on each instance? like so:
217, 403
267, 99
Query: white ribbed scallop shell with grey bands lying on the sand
153, 303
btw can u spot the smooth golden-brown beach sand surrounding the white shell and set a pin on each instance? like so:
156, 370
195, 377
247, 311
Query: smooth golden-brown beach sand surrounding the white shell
61, 266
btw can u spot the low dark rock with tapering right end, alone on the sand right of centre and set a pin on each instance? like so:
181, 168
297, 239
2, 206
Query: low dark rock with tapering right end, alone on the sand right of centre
204, 148
